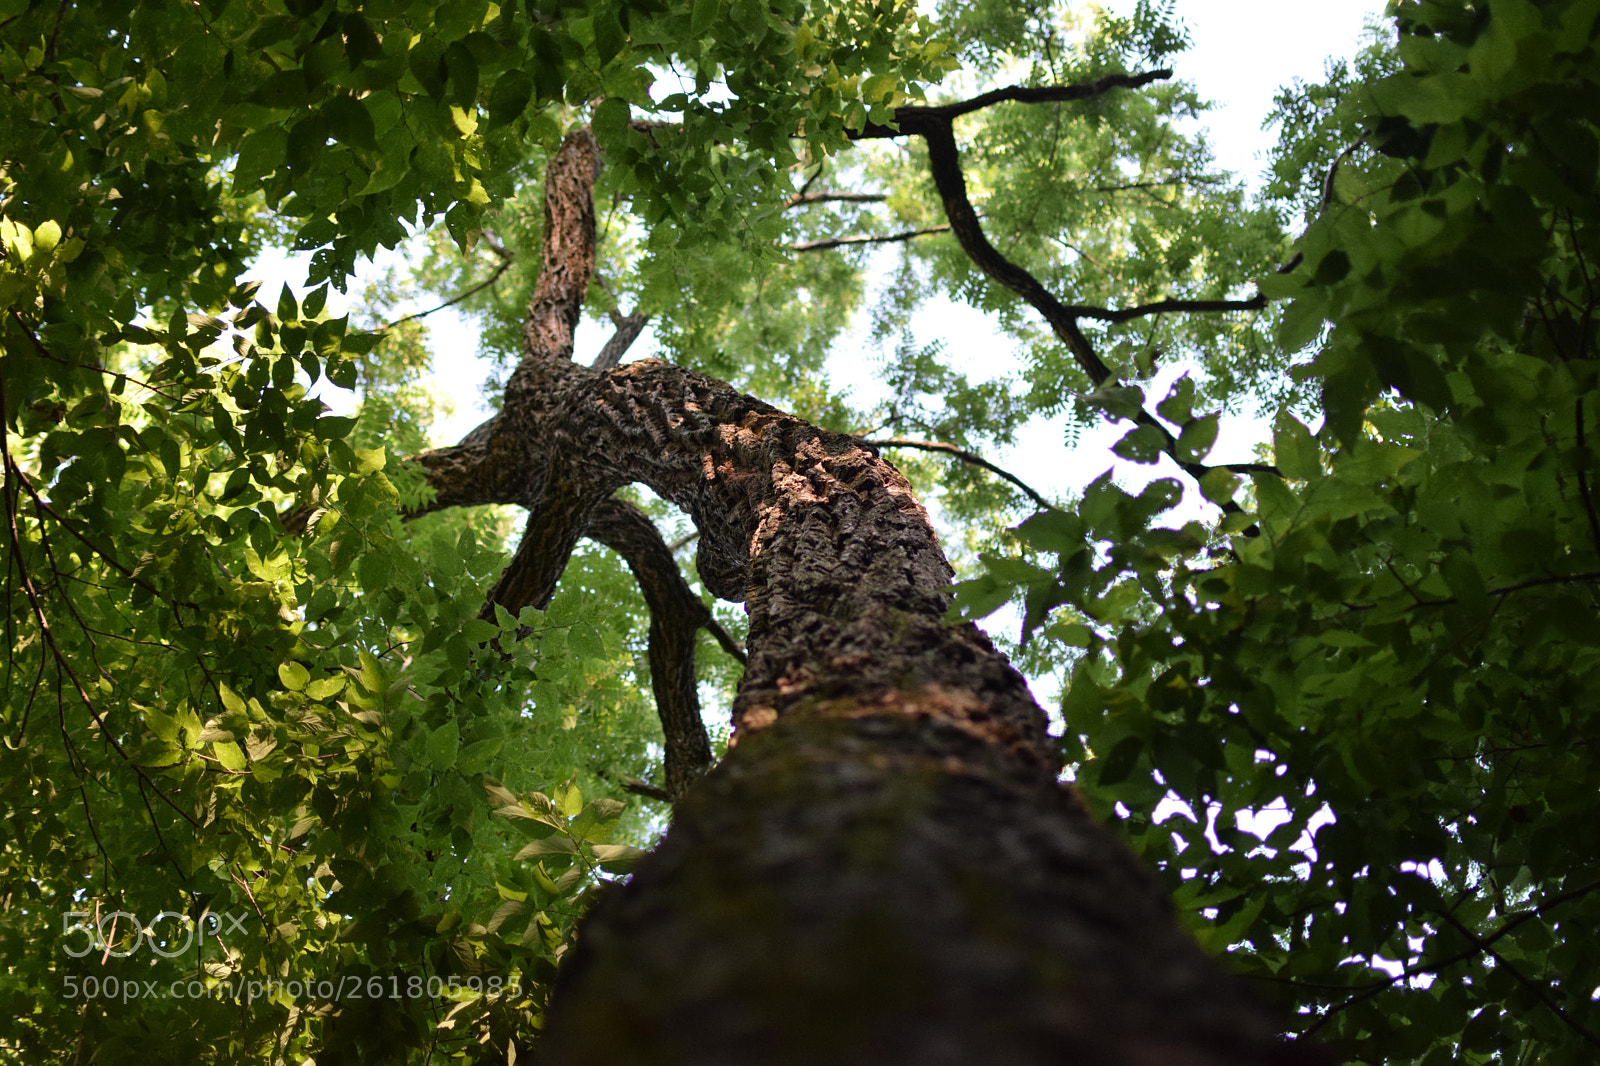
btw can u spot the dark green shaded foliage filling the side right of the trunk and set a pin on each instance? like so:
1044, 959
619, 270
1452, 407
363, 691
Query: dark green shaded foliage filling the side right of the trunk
1394, 647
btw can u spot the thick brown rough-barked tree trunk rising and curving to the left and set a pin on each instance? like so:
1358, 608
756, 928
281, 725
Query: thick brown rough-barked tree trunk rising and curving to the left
886, 868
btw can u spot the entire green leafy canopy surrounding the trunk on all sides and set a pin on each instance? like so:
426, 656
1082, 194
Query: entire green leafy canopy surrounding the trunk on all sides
286, 735
